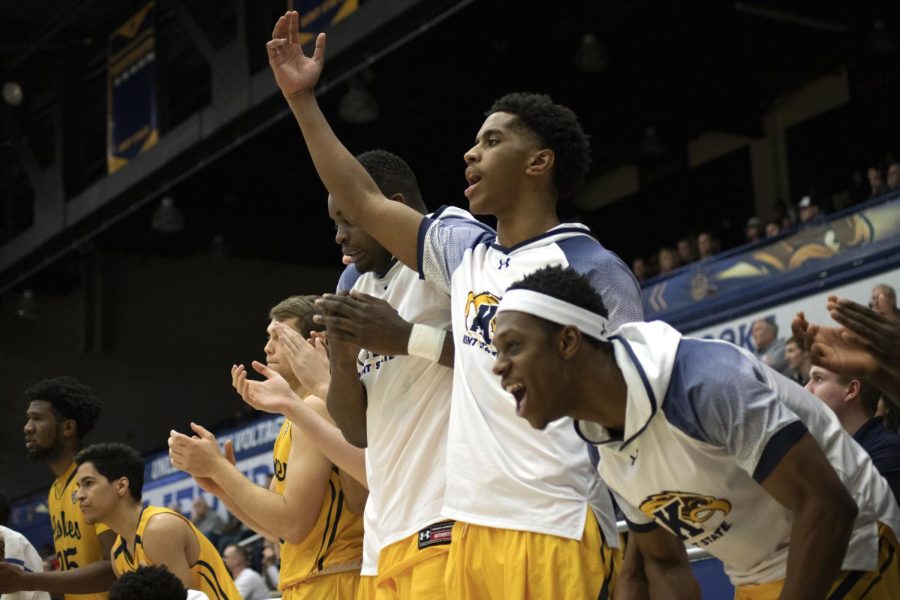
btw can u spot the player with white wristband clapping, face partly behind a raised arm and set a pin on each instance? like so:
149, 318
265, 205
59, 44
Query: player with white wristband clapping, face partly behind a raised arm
388, 399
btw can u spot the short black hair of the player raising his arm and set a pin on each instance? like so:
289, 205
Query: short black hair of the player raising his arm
558, 129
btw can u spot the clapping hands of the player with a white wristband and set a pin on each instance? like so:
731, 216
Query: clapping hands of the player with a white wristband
364, 321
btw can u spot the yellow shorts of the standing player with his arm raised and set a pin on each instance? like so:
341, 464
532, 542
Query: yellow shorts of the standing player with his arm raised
486, 563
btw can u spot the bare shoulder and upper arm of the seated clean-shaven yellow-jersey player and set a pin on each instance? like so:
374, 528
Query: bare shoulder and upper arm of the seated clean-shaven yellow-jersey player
169, 541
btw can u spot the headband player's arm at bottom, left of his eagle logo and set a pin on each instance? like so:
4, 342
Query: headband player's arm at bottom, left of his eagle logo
655, 567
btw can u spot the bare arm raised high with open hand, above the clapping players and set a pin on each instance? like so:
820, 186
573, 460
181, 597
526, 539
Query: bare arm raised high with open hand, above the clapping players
394, 225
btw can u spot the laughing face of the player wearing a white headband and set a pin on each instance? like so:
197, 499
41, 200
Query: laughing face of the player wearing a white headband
529, 366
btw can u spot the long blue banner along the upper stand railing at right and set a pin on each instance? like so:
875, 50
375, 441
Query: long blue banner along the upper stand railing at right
766, 273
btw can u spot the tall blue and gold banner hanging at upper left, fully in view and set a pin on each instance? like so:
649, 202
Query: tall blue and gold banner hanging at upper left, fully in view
131, 117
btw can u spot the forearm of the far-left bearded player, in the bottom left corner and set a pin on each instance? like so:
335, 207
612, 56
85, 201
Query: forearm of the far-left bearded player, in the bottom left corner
91, 578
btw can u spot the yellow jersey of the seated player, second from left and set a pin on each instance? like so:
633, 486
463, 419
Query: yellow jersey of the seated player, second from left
210, 575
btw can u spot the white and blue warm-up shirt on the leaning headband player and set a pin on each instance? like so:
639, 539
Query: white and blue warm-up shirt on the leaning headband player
706, 422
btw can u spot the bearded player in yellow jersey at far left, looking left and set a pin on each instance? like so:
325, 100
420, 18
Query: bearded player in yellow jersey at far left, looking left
62, 411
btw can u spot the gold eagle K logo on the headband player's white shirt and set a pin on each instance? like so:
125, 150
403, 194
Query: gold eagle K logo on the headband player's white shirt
686, 514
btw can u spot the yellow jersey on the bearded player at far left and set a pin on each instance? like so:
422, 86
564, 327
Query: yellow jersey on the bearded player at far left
75, 541
